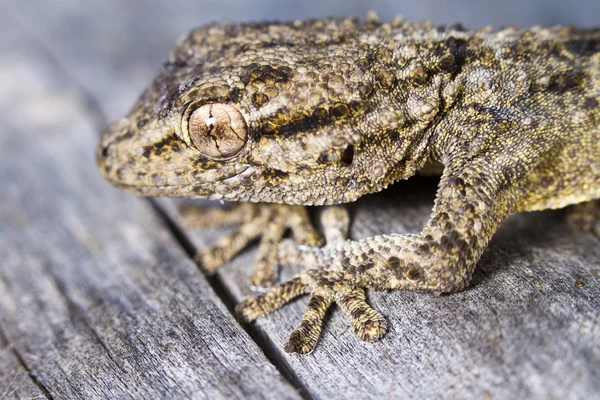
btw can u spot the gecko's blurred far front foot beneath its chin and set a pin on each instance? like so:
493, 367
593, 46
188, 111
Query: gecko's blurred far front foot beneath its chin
269, 222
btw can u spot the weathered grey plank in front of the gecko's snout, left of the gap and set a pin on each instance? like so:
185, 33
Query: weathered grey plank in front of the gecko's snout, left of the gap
96, 296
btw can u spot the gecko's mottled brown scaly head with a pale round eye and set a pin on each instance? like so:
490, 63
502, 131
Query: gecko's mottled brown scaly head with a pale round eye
269, 113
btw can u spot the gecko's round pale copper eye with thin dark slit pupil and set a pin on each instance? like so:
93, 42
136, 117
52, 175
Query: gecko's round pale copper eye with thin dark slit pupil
218, 131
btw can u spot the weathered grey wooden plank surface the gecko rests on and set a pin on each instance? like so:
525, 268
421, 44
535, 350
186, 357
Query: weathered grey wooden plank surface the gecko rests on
99, 298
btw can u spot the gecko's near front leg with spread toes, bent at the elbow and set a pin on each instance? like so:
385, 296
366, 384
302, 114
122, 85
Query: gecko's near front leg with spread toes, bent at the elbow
441, 259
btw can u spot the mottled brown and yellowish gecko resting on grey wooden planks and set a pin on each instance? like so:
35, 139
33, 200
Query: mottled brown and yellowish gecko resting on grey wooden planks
282, 115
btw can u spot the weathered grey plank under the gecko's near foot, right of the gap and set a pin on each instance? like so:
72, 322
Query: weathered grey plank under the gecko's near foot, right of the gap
529, 327
